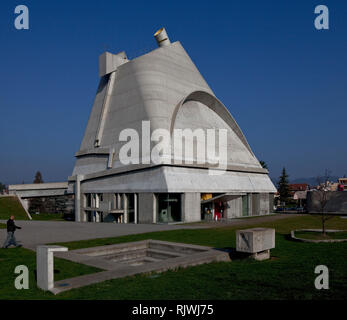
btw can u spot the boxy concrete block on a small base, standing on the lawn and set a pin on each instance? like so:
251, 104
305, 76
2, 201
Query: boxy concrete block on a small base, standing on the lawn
256, 241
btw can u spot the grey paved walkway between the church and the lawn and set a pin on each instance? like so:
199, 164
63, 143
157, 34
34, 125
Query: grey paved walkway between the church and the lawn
34, 233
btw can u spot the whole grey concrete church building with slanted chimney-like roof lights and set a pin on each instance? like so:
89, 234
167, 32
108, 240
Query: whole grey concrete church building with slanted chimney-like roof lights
162, 89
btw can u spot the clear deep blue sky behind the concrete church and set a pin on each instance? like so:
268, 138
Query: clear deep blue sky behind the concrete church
284, 82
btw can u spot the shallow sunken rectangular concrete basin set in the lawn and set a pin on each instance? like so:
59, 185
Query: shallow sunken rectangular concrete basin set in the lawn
128, 259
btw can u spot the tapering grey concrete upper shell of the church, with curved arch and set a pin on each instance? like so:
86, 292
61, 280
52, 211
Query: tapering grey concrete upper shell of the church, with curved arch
157, 87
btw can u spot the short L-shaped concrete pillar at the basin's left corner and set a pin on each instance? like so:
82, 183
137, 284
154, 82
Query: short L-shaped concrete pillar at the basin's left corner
45, 265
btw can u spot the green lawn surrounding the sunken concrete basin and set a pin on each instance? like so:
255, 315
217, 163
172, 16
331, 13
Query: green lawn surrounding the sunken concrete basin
288, 275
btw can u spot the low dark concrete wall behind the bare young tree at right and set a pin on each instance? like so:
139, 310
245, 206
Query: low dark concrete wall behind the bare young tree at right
337, 201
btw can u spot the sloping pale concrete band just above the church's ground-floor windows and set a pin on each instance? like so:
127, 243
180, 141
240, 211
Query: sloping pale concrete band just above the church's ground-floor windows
177, 179
